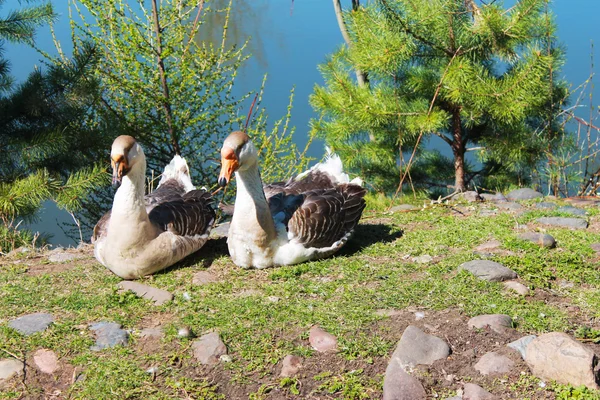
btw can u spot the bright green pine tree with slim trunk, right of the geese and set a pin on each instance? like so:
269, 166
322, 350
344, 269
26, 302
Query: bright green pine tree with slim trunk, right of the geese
470, 74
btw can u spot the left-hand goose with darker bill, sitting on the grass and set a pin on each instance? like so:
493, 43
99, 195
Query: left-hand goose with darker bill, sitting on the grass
141, 235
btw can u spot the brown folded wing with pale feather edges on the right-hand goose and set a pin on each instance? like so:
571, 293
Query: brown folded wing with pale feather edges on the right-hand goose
326, 215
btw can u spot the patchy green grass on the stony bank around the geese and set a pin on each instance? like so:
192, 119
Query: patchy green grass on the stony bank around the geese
264, 315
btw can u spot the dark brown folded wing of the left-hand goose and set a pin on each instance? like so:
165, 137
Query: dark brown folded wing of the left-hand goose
188, 215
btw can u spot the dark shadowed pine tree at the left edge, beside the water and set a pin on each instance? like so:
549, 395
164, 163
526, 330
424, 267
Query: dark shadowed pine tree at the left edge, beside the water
47, 149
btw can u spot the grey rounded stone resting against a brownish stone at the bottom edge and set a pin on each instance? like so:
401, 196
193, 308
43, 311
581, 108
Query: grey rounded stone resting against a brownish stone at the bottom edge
417, 347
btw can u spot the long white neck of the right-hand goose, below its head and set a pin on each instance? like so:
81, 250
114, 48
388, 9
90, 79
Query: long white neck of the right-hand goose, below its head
251, 208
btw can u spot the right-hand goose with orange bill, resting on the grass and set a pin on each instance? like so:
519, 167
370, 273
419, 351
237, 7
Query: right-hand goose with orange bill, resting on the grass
307, 217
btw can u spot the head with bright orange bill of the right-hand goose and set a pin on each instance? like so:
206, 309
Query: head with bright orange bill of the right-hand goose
237, 154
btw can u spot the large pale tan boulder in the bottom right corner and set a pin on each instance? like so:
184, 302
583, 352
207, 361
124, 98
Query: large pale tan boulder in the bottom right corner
556, 356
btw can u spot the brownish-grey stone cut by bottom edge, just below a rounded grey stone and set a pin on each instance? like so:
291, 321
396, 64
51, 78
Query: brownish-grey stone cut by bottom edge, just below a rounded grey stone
399, 385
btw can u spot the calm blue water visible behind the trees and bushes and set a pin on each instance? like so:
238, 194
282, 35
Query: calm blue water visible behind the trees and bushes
289, 40
